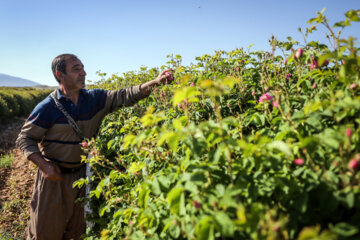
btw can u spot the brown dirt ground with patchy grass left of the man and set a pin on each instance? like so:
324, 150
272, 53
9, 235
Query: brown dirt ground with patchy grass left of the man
16, 184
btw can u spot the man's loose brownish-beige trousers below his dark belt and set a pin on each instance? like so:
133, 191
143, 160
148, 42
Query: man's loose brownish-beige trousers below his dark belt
54, 215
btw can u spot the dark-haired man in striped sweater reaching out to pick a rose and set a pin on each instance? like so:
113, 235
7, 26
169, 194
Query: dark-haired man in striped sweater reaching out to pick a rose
54, 215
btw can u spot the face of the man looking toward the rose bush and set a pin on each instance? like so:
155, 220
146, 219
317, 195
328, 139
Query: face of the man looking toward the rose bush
74, 79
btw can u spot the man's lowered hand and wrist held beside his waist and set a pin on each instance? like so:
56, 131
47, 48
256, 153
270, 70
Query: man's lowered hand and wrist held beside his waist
49, 170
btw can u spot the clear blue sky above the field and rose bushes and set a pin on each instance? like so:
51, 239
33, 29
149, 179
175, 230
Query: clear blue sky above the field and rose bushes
118, 36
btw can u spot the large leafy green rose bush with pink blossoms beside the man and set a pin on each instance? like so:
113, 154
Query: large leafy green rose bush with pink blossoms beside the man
229, 163
